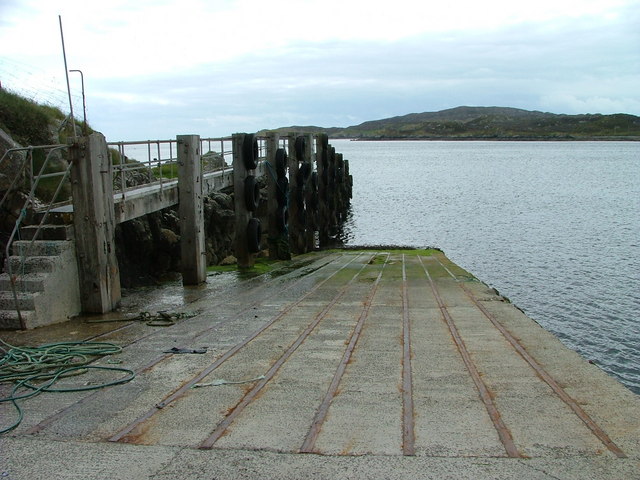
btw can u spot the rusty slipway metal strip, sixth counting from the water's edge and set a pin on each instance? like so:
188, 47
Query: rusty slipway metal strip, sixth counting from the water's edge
122, 434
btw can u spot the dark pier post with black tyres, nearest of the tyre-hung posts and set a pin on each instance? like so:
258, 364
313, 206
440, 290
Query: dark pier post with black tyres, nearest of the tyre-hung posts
246, 198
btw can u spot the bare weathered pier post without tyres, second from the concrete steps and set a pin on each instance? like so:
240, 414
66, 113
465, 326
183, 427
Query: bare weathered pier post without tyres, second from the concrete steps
191, 211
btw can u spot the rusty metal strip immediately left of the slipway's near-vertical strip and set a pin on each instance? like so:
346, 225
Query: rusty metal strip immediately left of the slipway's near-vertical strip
309, 443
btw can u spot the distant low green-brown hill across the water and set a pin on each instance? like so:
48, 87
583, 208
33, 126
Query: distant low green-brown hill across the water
489, 123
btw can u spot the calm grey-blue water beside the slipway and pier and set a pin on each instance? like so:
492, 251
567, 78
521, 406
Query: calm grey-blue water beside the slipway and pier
554, 226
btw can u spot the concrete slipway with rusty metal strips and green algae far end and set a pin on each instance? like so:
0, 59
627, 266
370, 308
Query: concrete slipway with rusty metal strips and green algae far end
365, 364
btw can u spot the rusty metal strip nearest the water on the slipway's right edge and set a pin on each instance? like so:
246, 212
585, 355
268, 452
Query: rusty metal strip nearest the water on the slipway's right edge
566, 398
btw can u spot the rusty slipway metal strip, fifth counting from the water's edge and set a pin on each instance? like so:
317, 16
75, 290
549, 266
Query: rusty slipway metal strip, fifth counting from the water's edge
248, 398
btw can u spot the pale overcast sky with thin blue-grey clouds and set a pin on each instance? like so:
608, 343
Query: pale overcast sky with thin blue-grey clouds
155, 69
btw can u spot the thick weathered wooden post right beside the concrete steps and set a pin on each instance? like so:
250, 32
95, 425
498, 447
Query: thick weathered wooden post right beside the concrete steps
94, 224
